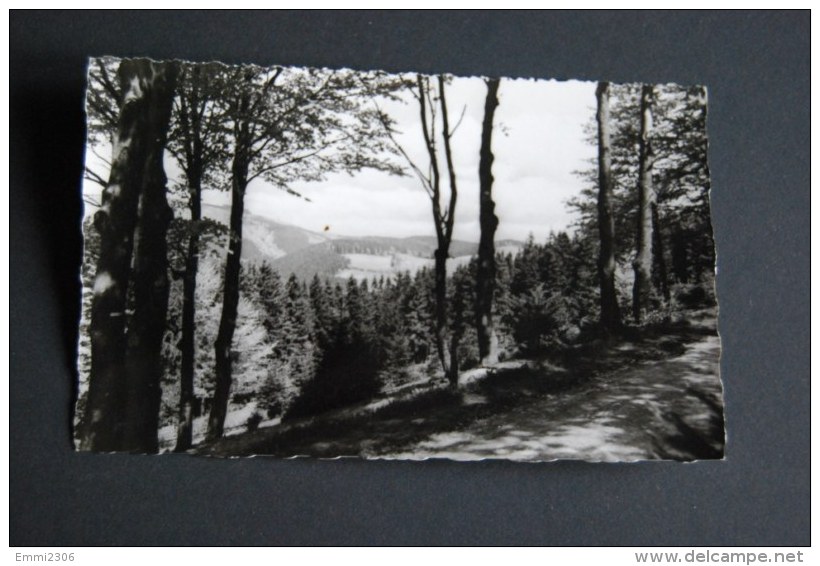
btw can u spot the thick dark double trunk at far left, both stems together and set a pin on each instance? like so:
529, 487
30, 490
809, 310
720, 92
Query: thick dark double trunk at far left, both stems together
137, 178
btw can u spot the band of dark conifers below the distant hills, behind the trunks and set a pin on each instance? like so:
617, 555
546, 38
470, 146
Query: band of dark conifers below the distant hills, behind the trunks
305, 347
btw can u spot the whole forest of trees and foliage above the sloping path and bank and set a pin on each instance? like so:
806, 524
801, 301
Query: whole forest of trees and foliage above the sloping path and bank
177, 327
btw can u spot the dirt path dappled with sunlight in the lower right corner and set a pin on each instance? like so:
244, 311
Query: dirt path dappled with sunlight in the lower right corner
658, 409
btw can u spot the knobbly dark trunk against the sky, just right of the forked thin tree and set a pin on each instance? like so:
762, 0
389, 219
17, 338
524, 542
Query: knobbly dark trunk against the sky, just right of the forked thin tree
485, 274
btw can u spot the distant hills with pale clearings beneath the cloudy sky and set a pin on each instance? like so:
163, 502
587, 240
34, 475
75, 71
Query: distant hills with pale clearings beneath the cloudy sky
291, 249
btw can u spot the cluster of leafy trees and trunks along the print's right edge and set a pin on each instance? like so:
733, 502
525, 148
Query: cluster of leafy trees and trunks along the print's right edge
649, 193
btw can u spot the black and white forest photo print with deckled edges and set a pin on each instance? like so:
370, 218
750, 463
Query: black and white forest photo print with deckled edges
293, 261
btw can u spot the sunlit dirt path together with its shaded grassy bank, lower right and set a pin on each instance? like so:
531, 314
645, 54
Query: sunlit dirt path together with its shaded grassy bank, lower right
659, 408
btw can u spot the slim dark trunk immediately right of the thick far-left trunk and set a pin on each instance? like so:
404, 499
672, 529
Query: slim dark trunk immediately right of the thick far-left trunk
187, 342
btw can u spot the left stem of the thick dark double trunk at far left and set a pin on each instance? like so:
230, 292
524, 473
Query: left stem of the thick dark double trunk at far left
147, 92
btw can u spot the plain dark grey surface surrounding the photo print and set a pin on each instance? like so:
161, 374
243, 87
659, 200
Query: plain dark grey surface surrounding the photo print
756, 66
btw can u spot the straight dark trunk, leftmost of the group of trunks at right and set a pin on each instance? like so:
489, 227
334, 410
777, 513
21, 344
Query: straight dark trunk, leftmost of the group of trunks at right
610, 313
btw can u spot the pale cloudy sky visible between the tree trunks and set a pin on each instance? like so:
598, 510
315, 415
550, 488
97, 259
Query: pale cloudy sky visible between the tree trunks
538, 142
